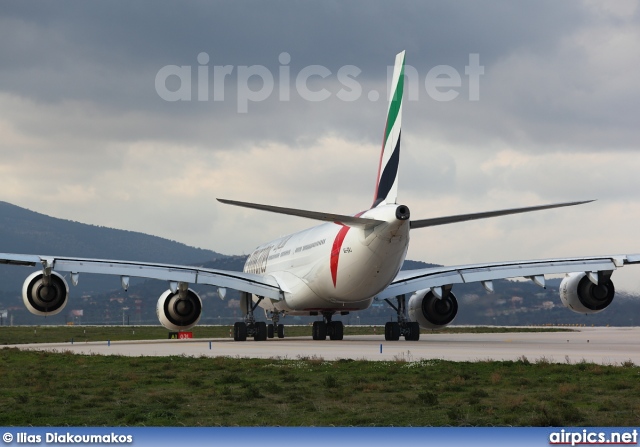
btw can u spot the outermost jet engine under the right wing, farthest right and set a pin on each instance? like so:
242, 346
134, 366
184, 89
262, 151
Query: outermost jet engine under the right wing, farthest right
579, 294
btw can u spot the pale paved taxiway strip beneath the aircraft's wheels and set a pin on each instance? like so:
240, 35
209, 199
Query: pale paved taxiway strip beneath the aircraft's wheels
595, 345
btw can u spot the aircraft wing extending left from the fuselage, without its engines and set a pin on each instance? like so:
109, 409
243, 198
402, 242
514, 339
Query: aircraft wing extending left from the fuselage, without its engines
256, 284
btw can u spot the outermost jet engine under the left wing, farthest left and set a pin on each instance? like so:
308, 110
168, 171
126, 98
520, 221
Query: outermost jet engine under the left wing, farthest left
44, 296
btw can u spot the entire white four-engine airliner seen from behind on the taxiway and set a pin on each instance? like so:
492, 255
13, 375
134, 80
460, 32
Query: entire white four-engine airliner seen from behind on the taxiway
337, 267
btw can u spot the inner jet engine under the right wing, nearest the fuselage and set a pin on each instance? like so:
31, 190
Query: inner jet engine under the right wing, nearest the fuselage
431, 312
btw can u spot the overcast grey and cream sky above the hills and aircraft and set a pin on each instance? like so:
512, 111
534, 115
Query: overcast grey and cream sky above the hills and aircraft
88, 133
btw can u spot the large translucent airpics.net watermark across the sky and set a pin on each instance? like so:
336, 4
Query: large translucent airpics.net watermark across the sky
256, 83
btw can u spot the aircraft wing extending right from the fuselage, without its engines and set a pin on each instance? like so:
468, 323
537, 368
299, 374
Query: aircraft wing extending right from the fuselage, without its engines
409, 281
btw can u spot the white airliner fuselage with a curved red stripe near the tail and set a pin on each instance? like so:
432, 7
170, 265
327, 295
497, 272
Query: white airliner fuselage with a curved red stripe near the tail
332, 267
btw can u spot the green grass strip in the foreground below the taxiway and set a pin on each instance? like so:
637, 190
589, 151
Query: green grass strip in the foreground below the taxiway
58, 389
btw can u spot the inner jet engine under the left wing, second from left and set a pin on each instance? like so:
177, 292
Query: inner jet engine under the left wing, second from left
179, 314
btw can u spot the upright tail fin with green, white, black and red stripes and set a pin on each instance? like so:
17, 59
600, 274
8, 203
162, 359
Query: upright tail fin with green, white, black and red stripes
387, 181
